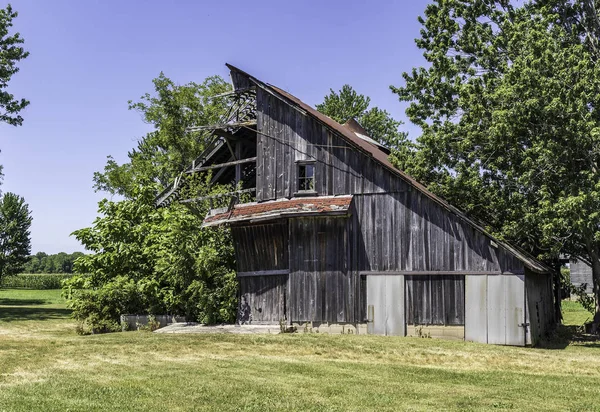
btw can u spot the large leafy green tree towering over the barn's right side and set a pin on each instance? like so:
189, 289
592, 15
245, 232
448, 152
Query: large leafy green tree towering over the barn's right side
509, 109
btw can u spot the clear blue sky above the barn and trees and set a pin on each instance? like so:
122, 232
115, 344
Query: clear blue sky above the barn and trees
88, 58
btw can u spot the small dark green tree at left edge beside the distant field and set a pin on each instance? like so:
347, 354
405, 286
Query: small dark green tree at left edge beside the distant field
15, 220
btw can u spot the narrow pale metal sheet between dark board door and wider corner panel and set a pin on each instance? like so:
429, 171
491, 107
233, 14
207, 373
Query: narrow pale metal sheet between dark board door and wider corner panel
476, 308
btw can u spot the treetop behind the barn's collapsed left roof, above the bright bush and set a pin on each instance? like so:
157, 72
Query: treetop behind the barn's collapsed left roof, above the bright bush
163, 153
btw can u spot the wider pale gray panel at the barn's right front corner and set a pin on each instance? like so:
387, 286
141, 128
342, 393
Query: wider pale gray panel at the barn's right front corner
506, 309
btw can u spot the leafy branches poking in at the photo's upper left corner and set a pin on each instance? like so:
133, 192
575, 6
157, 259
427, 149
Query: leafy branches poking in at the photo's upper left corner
11, 52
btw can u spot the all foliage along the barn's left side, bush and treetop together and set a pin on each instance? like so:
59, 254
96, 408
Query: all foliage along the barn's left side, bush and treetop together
152, 261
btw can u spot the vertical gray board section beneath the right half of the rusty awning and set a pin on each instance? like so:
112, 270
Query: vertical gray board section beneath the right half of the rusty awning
321, 287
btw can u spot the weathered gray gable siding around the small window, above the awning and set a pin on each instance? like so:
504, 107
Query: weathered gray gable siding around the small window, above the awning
286, 136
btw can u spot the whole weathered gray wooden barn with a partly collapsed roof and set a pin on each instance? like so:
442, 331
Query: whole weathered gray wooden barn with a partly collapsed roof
337, 238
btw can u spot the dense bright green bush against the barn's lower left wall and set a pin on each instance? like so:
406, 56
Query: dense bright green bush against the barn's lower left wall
157, 261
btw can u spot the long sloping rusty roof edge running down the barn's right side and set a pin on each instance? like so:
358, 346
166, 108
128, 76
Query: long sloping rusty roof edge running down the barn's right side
379, 156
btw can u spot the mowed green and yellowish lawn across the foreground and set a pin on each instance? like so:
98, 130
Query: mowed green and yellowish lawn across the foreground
45, 366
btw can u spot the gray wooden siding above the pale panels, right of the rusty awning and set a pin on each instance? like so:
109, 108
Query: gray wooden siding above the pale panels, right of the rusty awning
408, 232
